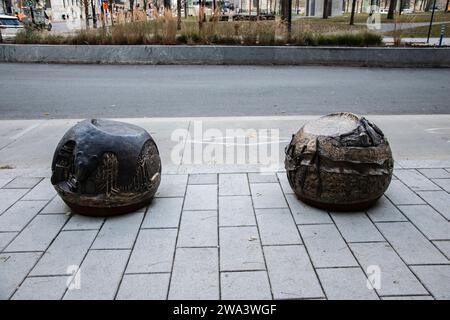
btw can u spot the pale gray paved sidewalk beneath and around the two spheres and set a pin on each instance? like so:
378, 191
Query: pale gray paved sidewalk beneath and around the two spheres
217, 231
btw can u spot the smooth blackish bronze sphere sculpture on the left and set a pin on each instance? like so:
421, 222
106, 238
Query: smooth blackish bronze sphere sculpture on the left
104, 167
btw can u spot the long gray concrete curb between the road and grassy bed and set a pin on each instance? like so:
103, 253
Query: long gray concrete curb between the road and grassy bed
227, 55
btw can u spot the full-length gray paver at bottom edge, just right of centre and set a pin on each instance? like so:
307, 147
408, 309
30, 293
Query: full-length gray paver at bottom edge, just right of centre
291, 273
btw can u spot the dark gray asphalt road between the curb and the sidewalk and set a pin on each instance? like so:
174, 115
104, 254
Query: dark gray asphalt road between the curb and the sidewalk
38, 91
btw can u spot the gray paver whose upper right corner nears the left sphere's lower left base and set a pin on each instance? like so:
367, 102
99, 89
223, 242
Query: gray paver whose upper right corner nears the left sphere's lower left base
38, 234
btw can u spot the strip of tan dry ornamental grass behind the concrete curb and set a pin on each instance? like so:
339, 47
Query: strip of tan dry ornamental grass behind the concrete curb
163, 30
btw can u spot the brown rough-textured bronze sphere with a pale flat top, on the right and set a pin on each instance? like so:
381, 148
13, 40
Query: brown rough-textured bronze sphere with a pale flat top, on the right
339, 162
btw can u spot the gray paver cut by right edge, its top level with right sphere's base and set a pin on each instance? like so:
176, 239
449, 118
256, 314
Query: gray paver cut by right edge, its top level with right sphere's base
430, 222
